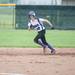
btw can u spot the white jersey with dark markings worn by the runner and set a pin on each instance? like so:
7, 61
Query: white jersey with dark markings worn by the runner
37, 24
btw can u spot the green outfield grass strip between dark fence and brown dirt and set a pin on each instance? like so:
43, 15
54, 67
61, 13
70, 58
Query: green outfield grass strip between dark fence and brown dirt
24, 38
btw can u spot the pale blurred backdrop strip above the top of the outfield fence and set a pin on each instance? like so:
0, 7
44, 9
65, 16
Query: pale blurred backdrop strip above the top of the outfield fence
40, 2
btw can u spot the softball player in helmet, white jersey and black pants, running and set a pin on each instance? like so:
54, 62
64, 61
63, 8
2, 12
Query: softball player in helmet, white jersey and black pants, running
37, 23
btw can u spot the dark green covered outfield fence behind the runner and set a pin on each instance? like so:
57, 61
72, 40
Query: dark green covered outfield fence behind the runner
62, 17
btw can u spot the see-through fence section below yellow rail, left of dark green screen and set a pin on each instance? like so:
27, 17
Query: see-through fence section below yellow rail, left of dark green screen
7, 18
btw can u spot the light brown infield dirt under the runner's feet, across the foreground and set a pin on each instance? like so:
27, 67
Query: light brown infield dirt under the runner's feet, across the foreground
32, 61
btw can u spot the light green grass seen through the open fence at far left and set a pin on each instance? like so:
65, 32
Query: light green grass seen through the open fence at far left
6, 21
